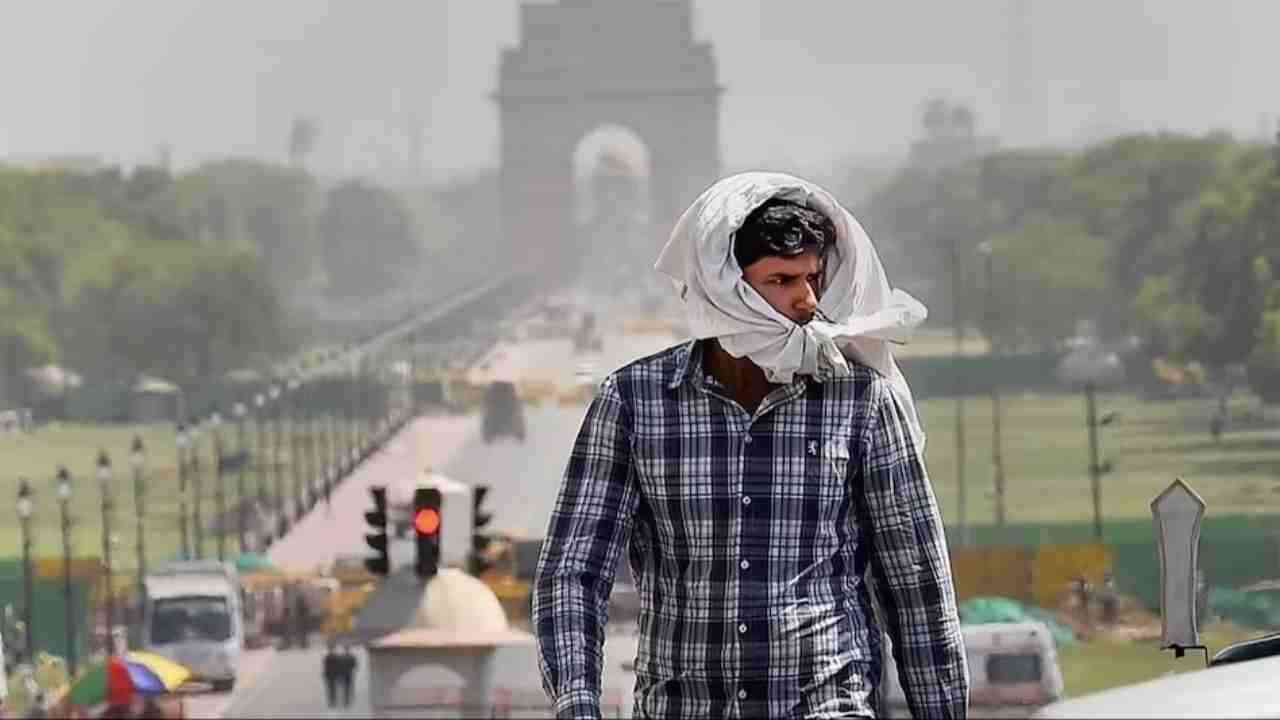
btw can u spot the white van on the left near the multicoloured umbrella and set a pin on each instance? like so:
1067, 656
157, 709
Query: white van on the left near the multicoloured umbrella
194, 616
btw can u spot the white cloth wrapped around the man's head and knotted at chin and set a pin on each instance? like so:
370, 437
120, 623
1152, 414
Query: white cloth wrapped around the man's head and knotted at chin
863, 315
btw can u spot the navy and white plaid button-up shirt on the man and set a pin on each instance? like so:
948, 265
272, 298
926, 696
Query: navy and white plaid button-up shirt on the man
751, 543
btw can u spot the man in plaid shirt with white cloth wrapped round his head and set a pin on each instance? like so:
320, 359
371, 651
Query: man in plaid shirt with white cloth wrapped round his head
769, 480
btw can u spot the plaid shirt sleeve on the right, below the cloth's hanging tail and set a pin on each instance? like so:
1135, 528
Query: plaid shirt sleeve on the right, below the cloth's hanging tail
911, 564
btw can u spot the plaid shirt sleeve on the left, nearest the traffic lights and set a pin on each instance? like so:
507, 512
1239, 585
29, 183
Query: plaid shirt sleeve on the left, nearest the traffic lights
589, 527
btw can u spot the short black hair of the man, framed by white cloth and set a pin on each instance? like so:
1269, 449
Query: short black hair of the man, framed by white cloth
781, 229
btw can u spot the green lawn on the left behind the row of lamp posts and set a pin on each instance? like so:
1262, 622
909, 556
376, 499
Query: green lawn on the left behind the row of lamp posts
38, 457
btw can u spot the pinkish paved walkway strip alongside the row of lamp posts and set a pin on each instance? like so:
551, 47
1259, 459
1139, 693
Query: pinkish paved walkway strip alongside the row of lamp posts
339, 528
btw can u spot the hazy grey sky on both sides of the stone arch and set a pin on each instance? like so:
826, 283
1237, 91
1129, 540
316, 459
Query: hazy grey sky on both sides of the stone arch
808, 81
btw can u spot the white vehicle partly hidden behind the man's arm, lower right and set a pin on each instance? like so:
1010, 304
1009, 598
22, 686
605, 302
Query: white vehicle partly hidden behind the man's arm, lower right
1013, 672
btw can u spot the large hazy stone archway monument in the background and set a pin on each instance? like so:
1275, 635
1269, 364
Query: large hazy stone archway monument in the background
583, 65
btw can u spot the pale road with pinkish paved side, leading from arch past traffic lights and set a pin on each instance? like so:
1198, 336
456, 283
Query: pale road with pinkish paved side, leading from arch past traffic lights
525, 479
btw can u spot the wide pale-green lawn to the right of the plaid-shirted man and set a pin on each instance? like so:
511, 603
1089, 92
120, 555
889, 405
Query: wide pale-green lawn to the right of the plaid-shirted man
1046, 458
